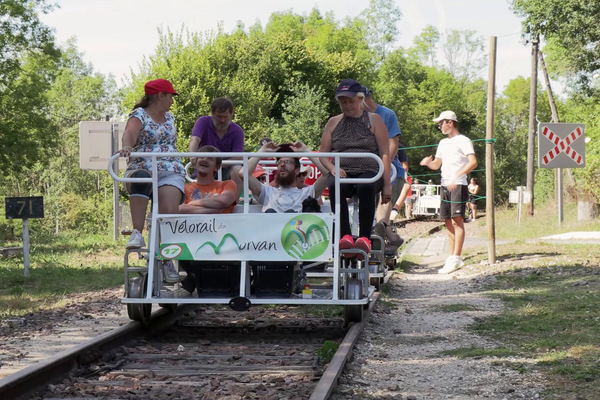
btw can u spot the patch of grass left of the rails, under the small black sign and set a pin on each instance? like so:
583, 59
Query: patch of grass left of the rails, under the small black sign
59, 265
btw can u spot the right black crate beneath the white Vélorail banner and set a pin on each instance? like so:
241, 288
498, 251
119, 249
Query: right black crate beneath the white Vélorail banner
272, 278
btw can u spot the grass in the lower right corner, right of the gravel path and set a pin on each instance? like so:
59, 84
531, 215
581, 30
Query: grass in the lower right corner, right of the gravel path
553, 312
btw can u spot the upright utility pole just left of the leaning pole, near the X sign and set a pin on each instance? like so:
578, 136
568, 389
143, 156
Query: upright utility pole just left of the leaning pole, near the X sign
532, 125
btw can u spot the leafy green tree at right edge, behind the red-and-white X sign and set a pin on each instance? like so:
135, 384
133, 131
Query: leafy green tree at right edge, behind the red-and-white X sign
572, 36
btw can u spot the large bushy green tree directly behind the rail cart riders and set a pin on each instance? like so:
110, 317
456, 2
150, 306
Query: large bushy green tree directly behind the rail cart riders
258, 69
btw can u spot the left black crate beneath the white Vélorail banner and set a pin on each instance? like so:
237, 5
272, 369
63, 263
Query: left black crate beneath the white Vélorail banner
215, 279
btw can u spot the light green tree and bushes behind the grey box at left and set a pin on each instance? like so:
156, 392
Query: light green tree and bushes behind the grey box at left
74, 199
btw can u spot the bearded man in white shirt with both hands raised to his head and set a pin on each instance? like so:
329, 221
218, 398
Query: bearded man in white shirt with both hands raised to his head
286, 197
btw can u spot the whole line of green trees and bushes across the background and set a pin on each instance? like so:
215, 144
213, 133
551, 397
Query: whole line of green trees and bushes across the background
282, 78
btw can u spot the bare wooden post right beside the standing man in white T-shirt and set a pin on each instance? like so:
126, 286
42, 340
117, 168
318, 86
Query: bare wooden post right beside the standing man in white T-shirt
489, 155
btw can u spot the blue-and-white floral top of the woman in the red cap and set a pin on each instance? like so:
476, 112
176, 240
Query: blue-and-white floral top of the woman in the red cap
155, 138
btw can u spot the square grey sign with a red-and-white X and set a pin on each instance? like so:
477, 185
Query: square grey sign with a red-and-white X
561, 145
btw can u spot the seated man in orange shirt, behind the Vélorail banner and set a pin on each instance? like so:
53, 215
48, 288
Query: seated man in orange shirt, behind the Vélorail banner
207, 195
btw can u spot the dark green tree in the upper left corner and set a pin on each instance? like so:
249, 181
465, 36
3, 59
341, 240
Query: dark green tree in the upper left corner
27, 52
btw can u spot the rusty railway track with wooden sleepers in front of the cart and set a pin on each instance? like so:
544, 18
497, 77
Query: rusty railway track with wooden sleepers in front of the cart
199, 353
